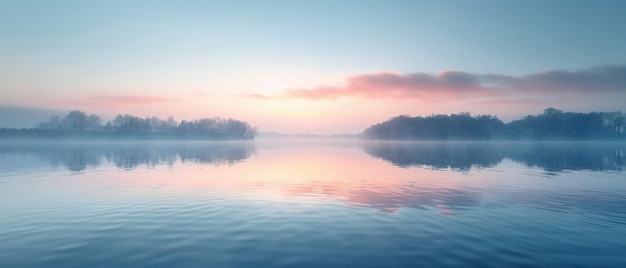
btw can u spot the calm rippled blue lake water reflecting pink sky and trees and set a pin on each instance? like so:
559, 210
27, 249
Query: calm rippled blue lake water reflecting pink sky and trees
312, 204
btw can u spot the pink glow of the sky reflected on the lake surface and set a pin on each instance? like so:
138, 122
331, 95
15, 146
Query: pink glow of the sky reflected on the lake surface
345, 174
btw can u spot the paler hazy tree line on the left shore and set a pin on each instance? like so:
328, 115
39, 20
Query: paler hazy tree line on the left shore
77, 124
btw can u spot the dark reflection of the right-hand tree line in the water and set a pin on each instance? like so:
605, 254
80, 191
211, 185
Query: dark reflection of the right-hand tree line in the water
458, 155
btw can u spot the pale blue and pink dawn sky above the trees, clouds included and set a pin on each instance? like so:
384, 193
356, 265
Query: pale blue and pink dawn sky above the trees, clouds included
318, 67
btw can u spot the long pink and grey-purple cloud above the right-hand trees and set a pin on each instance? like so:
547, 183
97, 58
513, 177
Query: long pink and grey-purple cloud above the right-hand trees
464, 85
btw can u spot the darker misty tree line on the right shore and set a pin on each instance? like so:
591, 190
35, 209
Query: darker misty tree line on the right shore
552, 124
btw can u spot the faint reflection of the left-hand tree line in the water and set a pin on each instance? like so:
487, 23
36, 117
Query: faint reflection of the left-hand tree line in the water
80, 156
